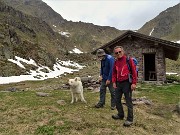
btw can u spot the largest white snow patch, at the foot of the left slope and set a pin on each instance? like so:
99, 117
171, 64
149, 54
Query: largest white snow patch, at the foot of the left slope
42, 72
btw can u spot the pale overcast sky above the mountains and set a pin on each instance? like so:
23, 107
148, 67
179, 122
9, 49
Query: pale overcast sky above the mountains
121, 14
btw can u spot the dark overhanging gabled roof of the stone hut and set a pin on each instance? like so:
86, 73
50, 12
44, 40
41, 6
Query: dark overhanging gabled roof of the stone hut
171, 49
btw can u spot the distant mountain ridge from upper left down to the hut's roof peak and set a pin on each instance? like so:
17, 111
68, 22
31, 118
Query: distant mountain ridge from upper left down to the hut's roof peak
85, 36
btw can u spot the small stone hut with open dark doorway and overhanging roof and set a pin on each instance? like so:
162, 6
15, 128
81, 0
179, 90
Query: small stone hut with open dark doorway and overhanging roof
149, 51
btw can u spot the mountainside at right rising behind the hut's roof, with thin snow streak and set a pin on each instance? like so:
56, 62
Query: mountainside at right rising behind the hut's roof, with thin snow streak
165, 26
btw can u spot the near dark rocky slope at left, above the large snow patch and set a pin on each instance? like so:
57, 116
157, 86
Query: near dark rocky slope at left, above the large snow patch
27, 37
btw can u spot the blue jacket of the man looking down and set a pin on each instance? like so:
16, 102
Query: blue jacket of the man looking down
107, 67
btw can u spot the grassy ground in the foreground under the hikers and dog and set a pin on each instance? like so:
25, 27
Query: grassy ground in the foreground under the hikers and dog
25, 113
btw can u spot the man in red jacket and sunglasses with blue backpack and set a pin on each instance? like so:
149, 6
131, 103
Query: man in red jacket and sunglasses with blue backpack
122, 85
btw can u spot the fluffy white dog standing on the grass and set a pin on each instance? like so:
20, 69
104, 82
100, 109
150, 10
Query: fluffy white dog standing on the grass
76, 89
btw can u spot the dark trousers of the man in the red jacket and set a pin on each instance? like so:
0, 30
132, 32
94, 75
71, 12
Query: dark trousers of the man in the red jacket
124, 88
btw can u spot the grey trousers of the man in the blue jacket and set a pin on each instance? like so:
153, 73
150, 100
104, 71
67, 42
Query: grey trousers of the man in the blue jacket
103, 93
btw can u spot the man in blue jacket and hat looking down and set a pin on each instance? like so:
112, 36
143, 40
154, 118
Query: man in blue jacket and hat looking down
105, 78
